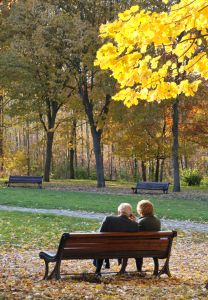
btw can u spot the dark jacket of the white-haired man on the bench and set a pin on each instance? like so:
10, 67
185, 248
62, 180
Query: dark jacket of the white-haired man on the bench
118, 224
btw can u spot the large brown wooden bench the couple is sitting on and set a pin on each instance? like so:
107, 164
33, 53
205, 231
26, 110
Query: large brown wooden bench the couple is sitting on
111, 245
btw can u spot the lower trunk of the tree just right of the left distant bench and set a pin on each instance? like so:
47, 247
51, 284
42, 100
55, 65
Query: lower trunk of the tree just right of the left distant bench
48, 159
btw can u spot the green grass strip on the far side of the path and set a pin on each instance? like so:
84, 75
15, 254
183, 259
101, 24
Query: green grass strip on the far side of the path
181, 209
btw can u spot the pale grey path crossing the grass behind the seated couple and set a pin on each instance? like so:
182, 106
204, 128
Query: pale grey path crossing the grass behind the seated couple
169, 224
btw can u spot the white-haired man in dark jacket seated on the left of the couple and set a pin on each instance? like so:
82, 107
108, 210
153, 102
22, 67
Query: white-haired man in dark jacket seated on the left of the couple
120, 223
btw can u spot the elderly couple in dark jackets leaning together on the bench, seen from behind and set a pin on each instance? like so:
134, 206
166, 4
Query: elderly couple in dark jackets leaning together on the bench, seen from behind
126, 222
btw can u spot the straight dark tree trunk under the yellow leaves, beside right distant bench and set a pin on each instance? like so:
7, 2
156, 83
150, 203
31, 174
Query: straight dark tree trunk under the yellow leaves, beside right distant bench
175, 147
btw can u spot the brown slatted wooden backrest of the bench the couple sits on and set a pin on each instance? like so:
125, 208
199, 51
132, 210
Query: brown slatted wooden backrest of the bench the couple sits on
115, 245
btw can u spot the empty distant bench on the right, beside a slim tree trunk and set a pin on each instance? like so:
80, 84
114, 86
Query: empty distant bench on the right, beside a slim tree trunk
147, 185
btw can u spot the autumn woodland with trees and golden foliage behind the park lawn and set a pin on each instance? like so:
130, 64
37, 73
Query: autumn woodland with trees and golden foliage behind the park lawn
57, 118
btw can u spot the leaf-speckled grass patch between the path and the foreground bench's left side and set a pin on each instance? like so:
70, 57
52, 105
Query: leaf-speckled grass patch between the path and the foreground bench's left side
44, 230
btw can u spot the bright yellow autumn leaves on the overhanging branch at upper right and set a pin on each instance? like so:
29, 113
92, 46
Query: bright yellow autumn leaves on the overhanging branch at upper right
157, 56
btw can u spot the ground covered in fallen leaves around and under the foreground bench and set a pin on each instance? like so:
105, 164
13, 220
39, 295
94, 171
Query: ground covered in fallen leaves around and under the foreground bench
22, 271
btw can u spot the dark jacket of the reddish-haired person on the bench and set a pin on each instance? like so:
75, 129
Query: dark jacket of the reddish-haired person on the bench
149, 223
